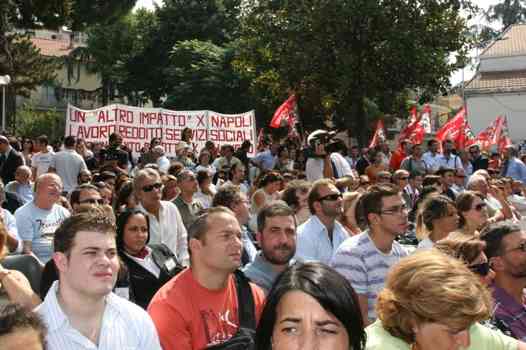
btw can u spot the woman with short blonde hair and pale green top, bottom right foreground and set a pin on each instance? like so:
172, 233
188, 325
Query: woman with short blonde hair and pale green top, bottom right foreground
433, 301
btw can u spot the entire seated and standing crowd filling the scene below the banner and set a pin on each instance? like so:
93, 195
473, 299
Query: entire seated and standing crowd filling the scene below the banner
317, 246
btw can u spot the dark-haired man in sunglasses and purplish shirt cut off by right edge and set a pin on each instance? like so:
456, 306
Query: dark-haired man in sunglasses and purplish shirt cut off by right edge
506, 251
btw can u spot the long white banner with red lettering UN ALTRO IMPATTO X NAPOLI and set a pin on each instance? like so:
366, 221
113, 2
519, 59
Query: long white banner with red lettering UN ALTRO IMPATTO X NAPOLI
138, 126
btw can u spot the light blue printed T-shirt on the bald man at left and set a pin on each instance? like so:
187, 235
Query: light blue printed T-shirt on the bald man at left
38, 226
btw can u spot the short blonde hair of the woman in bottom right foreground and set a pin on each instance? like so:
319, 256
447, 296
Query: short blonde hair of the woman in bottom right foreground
429, 287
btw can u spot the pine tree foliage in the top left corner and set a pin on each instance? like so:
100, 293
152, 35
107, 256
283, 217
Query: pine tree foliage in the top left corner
20, 59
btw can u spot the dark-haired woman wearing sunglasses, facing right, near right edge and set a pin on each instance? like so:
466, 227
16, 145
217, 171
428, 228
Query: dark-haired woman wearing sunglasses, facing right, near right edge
473, 213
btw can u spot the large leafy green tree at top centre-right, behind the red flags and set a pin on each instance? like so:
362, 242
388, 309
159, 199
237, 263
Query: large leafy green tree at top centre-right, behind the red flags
337, 54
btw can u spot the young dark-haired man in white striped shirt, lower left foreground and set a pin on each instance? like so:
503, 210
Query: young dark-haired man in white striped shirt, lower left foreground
80, 310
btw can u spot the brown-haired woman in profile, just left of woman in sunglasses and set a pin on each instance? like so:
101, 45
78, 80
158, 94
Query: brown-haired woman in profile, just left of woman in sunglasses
436, 218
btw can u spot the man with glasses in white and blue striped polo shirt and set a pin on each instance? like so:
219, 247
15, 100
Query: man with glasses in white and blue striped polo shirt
366, 258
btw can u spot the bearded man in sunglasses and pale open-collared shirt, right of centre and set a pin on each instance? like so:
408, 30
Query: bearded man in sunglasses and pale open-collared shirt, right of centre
320, 236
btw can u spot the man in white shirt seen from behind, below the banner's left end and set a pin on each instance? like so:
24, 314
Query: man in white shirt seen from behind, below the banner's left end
68, 164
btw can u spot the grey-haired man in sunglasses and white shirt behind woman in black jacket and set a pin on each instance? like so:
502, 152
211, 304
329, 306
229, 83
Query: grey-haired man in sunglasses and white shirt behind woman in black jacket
166, 224
